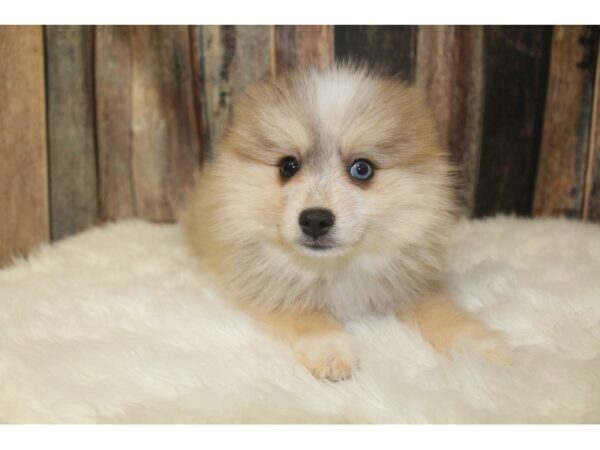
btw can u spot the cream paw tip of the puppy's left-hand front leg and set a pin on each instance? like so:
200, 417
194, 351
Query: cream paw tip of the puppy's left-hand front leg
330, 356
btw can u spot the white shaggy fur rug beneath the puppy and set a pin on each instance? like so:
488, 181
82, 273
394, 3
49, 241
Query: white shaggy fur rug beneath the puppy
115, 326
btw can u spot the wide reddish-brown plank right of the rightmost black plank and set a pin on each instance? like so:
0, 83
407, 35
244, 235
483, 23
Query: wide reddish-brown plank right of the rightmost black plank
565, 139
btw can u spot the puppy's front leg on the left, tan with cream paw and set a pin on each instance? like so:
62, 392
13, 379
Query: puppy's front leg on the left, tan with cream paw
318, 340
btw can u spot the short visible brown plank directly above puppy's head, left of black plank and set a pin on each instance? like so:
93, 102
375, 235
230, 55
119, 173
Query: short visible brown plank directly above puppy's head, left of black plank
302, 45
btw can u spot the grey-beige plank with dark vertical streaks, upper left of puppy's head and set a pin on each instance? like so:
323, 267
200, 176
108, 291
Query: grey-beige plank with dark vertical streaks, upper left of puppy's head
233, 57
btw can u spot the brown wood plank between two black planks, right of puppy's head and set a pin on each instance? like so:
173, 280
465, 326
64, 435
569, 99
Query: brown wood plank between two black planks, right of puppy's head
450, 73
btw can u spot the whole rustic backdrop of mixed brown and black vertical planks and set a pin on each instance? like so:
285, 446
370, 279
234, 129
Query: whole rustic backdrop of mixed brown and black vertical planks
109, 122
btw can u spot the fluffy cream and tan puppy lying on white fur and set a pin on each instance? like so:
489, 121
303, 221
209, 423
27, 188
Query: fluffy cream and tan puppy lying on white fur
330, 197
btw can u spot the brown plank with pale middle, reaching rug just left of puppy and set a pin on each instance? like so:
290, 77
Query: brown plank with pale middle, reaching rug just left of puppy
165, 147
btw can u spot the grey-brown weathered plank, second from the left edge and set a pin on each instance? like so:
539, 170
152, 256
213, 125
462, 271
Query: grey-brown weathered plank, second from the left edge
71, 142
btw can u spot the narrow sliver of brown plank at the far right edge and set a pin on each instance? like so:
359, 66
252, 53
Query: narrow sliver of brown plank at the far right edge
591, 205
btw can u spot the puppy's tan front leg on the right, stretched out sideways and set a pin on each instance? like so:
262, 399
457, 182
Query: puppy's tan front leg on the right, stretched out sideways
444, 324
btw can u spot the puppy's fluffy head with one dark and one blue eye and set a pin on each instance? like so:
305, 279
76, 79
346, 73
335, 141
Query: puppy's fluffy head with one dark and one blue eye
327, 164
